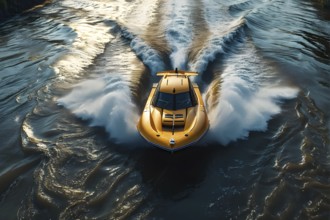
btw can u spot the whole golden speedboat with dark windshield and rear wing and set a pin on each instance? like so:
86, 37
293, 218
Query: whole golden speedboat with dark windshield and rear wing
174, 116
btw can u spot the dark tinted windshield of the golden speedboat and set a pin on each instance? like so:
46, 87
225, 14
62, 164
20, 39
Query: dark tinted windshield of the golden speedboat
173, 101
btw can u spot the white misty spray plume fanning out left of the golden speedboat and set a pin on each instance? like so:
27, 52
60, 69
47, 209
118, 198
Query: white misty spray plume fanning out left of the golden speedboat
105, 102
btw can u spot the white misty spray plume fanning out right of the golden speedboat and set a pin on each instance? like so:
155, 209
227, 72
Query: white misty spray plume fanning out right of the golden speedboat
242, 109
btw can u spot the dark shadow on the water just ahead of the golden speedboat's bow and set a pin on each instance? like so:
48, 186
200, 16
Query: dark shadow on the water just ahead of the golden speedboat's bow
174, 175
